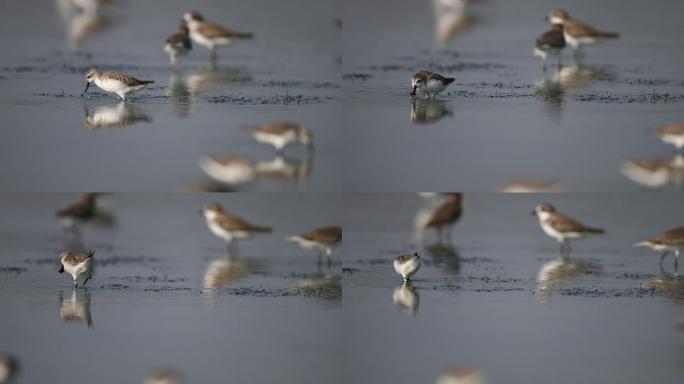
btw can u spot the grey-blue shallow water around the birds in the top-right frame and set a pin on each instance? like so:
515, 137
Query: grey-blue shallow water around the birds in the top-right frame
502, 120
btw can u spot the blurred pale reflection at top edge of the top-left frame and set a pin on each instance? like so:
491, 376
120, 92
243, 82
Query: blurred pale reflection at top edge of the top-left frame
83, 18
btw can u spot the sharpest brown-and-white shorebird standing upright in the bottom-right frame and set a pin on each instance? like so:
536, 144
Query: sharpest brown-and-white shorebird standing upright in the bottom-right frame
561, 227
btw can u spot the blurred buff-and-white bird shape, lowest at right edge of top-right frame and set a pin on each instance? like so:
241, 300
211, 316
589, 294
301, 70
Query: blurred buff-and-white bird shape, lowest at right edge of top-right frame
655, 173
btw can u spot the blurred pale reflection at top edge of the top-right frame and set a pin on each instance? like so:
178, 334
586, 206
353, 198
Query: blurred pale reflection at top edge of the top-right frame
451, 19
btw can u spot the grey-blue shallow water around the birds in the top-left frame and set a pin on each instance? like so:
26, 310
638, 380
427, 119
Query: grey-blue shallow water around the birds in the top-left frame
54, 140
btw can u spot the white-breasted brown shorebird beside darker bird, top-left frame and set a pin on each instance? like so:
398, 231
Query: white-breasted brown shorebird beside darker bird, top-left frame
211, 34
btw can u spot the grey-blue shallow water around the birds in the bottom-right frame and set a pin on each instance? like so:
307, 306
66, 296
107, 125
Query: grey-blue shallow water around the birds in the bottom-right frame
498, 303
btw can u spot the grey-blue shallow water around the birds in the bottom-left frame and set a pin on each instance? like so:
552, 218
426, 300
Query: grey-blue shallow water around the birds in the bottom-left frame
164, 293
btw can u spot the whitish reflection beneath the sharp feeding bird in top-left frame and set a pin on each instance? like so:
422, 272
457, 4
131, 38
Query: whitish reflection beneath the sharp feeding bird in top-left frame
115, 115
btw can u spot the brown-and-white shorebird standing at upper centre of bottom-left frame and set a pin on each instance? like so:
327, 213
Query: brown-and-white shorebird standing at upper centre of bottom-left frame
228, 226
